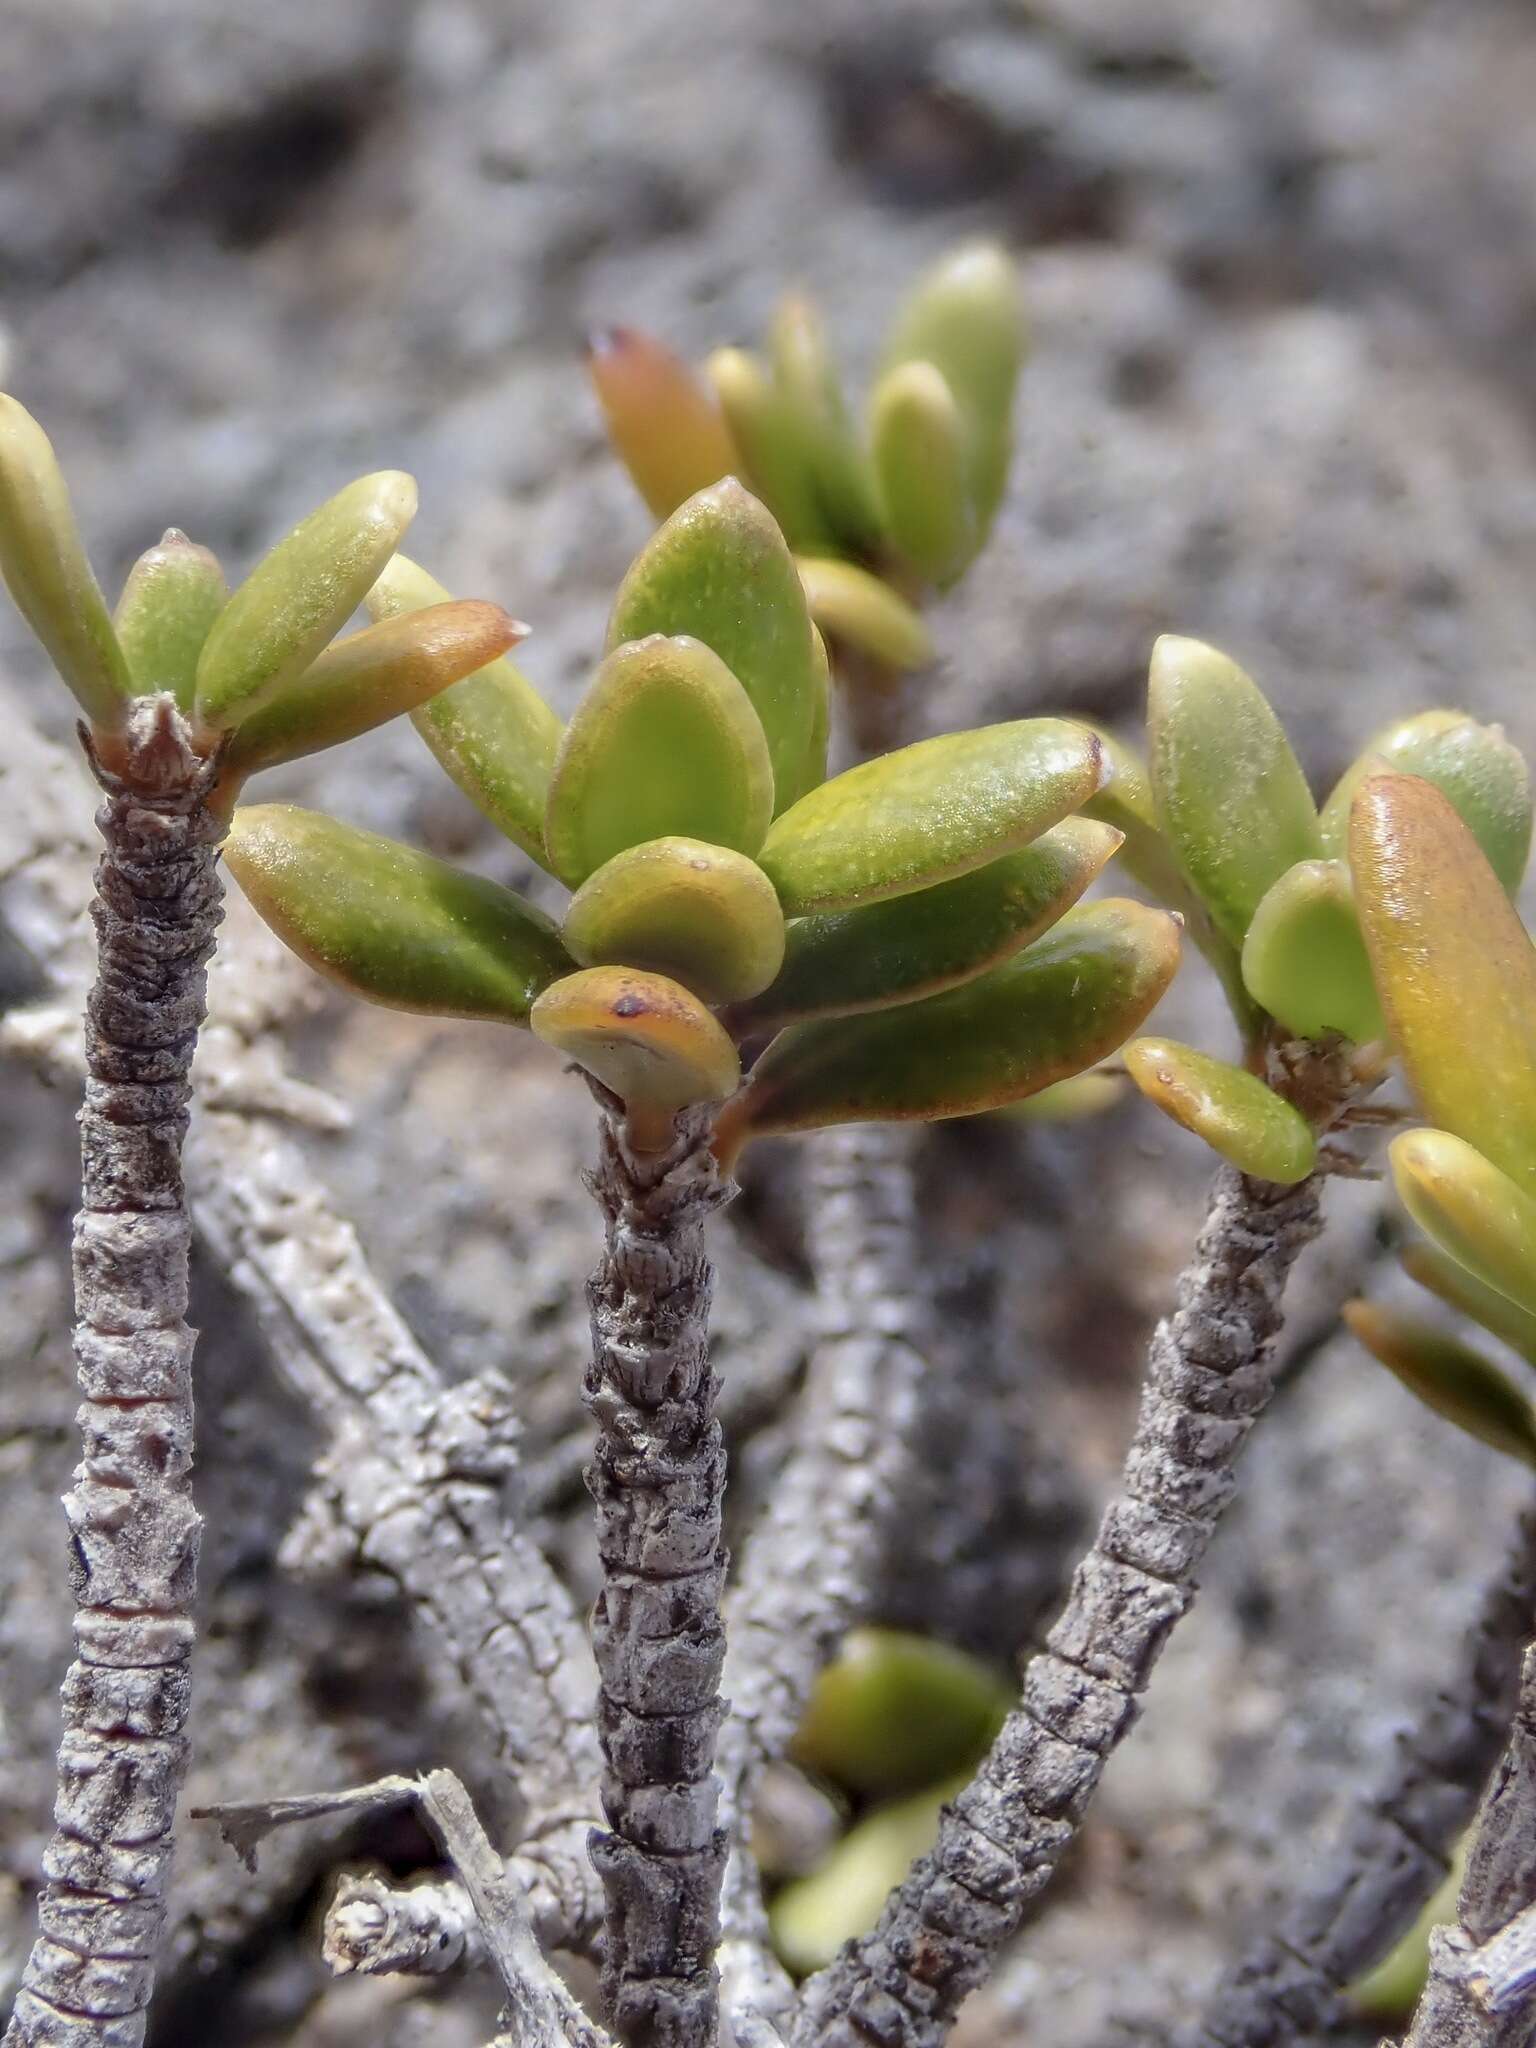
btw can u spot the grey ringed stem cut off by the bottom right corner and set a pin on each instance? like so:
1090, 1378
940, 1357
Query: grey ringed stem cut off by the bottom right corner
1482, 1990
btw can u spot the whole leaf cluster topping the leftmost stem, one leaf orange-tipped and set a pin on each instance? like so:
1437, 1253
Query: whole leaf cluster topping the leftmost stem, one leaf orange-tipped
253, 671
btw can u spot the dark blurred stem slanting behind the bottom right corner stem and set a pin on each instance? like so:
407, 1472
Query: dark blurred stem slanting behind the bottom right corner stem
1396, 1848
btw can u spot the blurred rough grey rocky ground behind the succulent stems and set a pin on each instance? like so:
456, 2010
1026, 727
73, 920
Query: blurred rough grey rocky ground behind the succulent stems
1281, 267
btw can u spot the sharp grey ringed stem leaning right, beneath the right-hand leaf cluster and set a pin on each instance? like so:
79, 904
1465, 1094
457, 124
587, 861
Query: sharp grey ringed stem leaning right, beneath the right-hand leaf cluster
1211, 1375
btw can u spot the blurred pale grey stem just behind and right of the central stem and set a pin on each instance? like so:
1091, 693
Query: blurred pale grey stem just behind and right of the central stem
812, 1562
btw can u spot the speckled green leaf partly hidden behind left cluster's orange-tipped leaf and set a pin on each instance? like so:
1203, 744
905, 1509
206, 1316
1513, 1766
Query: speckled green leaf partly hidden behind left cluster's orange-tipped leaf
493, 732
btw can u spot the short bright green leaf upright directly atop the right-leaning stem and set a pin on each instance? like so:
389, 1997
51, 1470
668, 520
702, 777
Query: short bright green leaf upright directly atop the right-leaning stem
1306, 959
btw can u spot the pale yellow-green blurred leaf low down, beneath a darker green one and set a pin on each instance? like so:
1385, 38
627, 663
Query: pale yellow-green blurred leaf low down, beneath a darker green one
812, 1918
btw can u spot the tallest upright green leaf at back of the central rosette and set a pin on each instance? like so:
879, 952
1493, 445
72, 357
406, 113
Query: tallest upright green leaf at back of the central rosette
720, 572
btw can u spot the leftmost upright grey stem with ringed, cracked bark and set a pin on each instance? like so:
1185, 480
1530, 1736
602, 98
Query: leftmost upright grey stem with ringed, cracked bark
134, 1531
